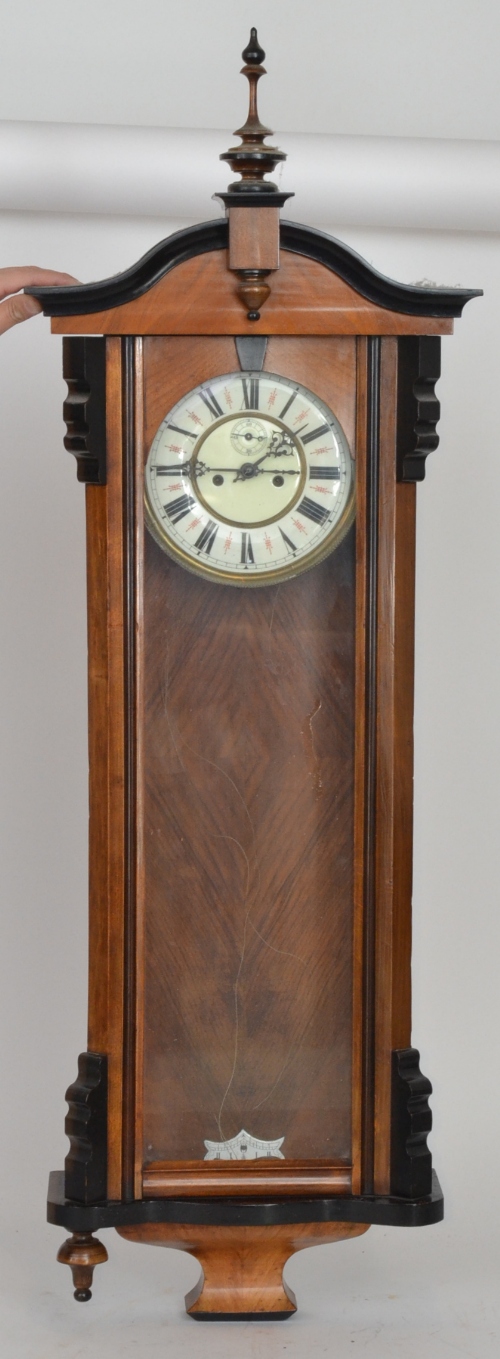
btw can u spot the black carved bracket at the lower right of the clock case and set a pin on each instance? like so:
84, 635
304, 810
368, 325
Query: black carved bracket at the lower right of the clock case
411, 1125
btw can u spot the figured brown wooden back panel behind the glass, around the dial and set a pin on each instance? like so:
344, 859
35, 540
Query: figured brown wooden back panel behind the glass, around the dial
249, 815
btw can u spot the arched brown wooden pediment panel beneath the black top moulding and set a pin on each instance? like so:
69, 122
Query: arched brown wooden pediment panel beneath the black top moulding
200, 297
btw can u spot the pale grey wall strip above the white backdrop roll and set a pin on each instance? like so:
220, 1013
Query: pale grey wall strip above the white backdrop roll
384, 67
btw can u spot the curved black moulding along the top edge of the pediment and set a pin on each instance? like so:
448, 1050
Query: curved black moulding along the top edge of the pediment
213, 236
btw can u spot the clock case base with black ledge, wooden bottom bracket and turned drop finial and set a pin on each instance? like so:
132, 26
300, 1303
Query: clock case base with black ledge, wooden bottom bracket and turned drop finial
243, 1247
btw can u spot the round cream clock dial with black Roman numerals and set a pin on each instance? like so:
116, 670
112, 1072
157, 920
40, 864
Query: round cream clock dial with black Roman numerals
249, 480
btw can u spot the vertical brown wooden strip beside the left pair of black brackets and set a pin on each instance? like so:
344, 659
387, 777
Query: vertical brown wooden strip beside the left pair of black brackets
105, 542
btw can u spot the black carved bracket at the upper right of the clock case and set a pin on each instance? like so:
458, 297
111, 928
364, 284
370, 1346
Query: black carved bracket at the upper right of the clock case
419, 411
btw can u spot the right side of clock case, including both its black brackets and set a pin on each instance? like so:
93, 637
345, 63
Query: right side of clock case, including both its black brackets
403, 1119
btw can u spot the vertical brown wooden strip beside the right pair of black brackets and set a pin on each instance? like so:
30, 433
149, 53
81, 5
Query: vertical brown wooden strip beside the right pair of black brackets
395, 764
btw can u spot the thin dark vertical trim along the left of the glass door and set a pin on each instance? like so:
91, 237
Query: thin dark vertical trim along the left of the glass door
131, 777
